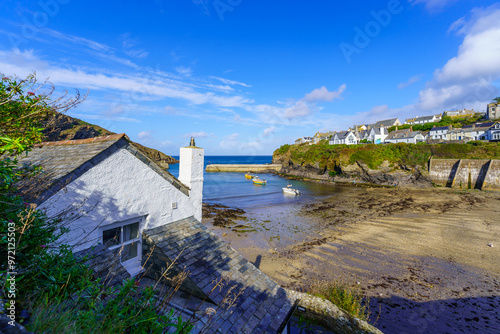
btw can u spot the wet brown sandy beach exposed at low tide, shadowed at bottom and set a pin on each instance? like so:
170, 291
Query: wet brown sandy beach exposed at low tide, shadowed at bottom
422, 255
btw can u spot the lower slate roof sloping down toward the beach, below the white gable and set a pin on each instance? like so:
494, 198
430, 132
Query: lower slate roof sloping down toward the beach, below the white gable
263, 307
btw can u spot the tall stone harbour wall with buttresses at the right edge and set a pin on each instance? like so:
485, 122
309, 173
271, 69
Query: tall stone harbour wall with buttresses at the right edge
465, 173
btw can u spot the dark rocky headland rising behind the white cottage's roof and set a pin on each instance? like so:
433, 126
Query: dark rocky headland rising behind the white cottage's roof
63, 127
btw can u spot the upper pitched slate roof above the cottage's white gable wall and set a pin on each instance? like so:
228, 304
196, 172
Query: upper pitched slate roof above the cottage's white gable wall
64, 161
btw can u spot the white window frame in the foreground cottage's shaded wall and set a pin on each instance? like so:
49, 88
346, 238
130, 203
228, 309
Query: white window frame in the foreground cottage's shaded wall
134, 265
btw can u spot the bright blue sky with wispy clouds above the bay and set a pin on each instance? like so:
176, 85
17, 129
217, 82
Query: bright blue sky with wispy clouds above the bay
245, 77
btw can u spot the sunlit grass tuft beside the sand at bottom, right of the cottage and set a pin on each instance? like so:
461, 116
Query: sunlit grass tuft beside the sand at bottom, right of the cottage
347, 297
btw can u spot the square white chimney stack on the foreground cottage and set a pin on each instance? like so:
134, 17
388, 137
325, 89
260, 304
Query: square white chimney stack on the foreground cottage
191, 168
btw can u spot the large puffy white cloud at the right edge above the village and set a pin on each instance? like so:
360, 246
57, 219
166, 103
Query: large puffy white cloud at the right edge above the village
466, 80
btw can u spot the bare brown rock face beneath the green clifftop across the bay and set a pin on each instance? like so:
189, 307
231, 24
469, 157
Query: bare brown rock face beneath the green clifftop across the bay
358, 172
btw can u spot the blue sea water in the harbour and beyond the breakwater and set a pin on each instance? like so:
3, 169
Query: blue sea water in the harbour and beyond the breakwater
234, 190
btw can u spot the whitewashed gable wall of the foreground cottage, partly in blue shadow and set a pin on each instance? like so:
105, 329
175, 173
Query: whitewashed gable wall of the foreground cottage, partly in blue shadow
120, 188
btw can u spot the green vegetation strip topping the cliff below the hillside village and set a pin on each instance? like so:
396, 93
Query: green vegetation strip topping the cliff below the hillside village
409, 155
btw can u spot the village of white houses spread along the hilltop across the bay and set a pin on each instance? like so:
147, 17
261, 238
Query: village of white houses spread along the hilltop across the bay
459, 126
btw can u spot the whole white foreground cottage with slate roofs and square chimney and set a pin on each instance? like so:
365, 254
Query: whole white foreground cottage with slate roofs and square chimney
145, 220
